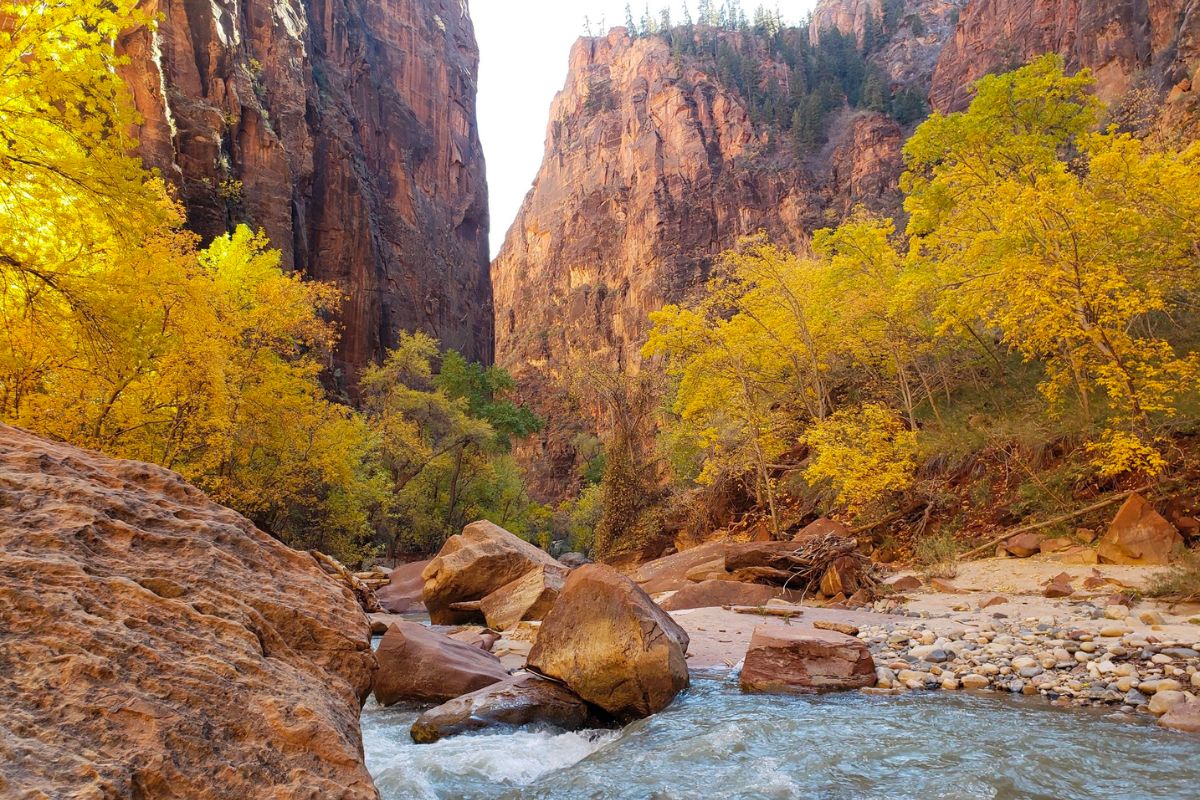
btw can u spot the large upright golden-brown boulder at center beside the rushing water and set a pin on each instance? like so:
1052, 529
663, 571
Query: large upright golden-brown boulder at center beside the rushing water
608, 641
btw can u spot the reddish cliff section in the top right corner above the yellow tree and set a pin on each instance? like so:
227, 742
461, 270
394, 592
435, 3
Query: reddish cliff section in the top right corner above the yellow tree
1121, 41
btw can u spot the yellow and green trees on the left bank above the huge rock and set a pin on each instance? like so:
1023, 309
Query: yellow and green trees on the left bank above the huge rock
121, 333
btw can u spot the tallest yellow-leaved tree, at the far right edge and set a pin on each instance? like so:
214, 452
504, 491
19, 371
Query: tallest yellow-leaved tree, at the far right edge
1076, 264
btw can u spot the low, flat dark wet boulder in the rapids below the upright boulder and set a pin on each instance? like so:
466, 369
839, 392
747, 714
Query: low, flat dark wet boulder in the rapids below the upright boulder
514, 702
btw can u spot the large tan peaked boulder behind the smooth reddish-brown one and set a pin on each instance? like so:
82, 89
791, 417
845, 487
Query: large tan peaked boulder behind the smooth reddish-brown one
475, 564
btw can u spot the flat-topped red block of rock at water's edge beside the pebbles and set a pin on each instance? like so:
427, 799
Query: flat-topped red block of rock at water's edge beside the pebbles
801, 660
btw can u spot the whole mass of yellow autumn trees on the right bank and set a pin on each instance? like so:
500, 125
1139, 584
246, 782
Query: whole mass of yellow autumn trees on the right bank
1030, 233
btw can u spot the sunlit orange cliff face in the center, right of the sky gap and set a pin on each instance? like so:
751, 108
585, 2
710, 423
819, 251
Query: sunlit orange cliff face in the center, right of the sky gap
652, 169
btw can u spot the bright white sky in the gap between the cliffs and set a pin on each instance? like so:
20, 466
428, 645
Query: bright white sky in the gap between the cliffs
525, 46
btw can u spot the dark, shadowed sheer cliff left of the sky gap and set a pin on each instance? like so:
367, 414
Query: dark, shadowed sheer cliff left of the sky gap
347, 131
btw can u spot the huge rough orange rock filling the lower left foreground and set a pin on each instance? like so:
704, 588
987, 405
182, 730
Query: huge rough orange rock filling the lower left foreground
155, 645
